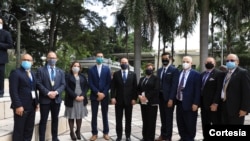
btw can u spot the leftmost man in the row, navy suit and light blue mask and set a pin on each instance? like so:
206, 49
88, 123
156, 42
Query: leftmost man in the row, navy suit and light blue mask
24, 99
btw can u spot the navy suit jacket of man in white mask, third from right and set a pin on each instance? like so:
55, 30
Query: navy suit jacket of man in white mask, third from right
192, 91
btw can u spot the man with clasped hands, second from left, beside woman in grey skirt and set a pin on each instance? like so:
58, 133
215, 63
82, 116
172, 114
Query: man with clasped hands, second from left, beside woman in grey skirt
51, 84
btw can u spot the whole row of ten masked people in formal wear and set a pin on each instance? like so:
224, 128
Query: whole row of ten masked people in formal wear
222, 96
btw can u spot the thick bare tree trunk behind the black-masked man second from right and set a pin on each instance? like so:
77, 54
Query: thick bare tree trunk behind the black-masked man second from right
204, 21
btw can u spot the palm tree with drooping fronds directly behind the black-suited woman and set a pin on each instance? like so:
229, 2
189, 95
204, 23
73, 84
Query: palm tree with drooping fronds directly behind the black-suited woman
139, 16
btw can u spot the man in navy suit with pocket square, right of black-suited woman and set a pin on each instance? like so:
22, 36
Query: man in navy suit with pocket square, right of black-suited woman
168, 75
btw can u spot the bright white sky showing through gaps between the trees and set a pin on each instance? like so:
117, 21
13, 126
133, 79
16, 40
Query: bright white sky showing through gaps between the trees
193, 41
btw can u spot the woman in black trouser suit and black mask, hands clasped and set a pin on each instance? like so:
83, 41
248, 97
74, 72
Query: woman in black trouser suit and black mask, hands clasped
148, 91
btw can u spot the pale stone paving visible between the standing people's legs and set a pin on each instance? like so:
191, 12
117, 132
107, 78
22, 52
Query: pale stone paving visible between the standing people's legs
136, 134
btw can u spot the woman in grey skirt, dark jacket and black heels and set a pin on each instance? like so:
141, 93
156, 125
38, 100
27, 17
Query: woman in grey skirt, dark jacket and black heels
75, 99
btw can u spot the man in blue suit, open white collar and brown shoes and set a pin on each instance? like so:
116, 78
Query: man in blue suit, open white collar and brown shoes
99, 77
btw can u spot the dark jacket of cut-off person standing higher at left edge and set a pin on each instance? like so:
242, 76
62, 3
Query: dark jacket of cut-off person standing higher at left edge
6, 43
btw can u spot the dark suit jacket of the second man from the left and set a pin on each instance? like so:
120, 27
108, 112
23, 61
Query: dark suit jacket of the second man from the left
44, 85
